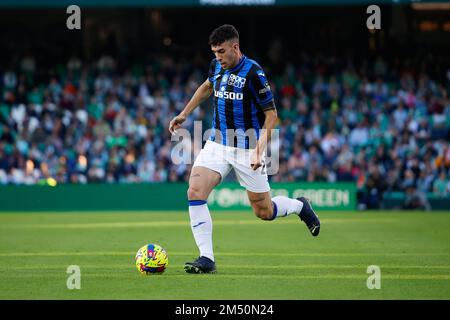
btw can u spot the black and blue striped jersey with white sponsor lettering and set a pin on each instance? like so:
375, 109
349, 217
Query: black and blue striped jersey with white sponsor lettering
241, 95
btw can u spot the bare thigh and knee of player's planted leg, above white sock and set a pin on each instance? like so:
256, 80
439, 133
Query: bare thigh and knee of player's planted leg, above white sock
201, 182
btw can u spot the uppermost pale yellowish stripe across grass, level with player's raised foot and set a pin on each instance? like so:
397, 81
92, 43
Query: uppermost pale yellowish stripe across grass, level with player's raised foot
149, 224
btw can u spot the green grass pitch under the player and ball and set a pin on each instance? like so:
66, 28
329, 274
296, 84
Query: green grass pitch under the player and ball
255, 259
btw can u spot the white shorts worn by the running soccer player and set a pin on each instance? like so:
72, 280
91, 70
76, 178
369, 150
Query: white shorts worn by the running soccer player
221, 159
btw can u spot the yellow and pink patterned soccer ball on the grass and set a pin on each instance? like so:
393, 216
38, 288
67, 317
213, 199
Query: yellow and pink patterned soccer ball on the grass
151, 259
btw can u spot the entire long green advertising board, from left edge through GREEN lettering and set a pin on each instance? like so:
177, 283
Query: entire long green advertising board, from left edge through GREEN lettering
162, 196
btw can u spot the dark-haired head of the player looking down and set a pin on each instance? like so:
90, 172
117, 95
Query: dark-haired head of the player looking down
224, 42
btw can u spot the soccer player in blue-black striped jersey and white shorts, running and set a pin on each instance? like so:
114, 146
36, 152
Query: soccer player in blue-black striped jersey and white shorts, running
243, 105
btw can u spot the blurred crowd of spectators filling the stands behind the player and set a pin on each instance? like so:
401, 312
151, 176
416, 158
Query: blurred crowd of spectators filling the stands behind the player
384, 125
